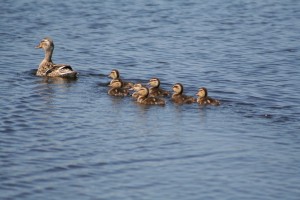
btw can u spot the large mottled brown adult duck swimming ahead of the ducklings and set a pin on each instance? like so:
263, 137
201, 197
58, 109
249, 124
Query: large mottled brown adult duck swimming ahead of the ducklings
47, 67
